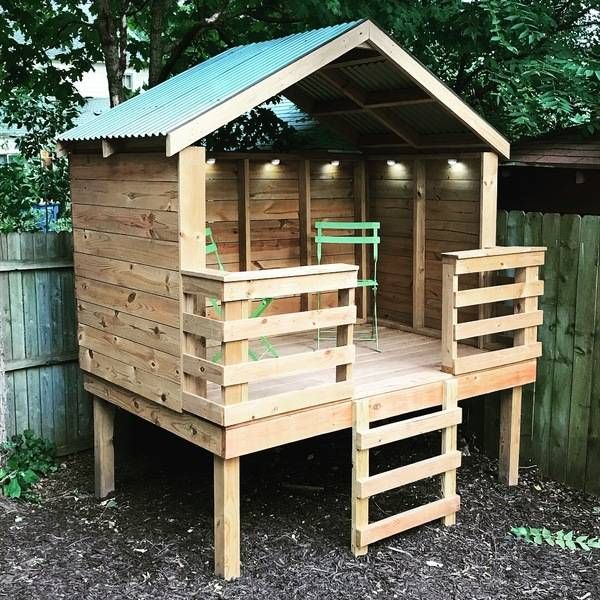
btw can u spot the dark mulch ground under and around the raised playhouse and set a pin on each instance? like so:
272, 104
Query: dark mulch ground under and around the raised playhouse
155, 539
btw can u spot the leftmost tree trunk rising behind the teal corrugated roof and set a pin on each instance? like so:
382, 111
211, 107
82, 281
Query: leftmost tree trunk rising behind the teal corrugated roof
113, 38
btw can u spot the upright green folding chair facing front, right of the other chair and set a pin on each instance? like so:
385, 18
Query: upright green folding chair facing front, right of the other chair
369, 236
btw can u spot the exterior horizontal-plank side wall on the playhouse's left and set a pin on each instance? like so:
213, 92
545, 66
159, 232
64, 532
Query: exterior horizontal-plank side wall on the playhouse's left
127, 271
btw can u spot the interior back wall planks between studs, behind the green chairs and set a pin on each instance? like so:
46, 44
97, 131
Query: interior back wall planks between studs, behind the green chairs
274, 201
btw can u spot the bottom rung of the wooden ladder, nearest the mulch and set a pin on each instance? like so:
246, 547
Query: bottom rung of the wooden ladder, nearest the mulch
407, 520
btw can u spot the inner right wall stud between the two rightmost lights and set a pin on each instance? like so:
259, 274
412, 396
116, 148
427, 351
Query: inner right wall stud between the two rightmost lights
419, 212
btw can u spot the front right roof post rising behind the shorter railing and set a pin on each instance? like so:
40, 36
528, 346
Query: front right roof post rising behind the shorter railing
488, 210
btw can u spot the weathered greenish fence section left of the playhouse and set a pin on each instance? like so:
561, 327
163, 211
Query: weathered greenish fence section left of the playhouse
41, 384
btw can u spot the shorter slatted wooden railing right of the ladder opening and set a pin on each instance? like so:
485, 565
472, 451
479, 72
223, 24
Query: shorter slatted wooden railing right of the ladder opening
524, 291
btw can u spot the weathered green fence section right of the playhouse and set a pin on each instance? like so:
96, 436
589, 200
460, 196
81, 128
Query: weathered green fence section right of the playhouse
561, 412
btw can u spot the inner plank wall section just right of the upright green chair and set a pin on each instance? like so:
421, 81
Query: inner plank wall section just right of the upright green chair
390, 195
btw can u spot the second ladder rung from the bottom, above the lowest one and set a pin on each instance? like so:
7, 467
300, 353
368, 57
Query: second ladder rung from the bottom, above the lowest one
383, 482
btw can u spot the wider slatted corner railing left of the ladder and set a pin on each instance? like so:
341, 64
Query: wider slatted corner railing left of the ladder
234, 371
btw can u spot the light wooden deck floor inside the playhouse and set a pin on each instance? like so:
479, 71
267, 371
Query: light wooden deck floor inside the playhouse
406, 360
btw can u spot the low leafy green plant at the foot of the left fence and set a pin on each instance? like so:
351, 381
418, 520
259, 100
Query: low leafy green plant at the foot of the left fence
26, 458
